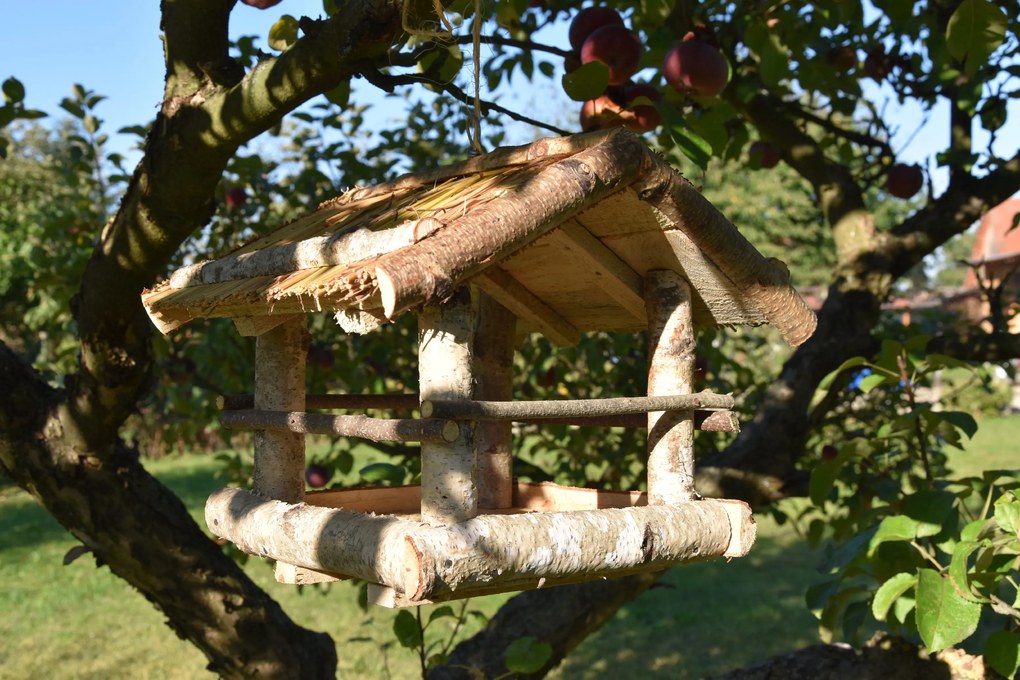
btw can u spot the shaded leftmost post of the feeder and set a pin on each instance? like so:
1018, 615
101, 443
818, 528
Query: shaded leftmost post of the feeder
280, 386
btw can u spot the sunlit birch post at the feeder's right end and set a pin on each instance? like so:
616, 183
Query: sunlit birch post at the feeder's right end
672, 364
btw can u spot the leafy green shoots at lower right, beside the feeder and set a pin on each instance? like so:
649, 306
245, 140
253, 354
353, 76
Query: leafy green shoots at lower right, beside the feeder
924, 554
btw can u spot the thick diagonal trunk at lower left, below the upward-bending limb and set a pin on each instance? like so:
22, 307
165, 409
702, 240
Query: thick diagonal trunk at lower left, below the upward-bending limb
143, 533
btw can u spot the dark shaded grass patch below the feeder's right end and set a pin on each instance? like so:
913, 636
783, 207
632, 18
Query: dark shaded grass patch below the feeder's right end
708, 618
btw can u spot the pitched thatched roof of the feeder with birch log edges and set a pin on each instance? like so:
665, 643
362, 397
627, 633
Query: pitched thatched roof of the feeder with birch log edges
560, 232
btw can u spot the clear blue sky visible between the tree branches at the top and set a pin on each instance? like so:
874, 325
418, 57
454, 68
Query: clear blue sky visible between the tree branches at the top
114, 47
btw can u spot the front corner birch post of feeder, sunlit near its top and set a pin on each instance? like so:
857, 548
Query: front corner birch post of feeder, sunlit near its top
446, 348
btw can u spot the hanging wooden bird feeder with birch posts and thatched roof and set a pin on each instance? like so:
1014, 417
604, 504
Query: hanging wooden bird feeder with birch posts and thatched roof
560, 237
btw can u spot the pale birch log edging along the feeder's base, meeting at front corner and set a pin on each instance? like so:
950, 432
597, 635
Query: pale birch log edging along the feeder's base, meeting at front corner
487, 554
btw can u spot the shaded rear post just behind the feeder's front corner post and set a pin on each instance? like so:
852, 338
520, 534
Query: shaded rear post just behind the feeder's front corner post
494, 346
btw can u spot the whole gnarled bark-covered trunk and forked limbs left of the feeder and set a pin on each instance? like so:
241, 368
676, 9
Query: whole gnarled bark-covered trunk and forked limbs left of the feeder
64, 447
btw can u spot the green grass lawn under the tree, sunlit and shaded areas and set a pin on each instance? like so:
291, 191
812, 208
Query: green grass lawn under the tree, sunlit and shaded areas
78, 621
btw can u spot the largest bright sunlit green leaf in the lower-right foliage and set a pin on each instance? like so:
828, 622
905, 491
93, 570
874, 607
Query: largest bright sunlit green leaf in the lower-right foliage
944, 617
